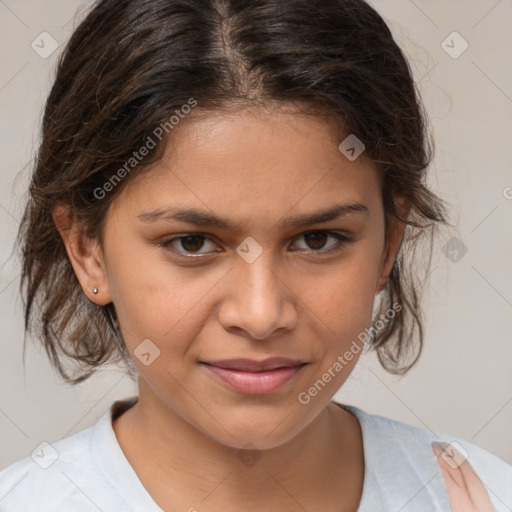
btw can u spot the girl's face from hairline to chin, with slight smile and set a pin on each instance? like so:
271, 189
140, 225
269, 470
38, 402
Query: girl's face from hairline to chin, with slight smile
245, 303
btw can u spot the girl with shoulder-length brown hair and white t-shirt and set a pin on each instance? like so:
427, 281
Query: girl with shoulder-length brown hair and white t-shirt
222, 190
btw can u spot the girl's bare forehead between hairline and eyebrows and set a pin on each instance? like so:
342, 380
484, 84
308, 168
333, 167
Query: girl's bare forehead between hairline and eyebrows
253, 162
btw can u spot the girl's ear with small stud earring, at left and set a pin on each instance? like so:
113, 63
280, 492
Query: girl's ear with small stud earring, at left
85, 256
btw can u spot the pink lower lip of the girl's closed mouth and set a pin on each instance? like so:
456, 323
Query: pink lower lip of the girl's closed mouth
255, 383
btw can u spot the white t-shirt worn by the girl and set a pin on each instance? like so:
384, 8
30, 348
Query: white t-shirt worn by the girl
88, 472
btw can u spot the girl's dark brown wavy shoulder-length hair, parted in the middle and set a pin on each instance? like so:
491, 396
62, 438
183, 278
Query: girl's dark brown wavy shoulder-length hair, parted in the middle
132, 64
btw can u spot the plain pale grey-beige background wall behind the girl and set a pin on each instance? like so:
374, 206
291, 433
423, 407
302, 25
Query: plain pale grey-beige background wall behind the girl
463, 383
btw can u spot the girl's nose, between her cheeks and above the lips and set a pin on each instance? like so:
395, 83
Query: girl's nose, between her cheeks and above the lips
259, 302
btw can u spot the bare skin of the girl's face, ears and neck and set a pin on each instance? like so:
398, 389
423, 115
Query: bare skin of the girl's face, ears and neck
254, 168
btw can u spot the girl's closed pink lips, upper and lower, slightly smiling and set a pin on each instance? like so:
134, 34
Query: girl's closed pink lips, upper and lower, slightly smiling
253, 377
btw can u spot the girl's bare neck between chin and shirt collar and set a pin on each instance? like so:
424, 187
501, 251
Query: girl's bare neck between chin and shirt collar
327, 454
